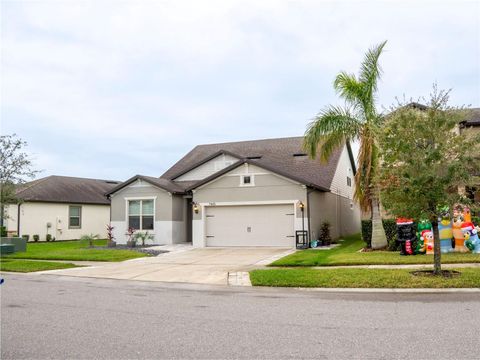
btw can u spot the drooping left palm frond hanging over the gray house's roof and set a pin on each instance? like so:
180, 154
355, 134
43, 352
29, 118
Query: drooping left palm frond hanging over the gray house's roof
328, 130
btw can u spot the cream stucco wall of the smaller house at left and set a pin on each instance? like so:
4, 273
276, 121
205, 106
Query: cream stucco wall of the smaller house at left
34, 217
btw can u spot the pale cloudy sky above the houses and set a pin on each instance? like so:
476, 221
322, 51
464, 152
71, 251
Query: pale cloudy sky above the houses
110, 89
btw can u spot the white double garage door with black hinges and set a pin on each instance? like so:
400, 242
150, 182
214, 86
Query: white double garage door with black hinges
252, 225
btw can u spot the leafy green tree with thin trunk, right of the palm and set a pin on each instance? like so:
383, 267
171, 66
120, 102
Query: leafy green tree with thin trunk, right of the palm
425, 160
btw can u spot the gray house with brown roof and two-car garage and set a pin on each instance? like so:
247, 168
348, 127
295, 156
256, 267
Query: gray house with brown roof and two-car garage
248, 193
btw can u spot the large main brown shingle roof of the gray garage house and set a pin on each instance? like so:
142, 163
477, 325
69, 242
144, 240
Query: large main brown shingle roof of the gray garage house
284, 156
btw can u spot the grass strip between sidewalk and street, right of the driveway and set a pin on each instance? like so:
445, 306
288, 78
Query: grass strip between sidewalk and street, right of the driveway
361, 278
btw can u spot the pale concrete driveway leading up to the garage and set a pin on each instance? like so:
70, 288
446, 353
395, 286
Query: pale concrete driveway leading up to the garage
200, 266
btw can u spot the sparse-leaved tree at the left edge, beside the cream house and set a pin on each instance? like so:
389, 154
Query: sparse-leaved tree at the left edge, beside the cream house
15, 168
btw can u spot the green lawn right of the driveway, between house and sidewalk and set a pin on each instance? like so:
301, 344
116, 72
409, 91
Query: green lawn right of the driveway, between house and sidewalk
347, 254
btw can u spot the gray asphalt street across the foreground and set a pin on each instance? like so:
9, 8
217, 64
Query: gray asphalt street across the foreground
55, 317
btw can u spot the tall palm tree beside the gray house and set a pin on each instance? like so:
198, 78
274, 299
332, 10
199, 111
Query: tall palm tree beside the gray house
356, 121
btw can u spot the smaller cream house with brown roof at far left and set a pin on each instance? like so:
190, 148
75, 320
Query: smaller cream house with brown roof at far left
64, 207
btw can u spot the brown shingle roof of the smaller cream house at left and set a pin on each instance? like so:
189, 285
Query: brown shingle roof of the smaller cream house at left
65, 189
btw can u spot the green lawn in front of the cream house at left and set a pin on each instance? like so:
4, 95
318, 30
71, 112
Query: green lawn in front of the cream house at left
73, 250
